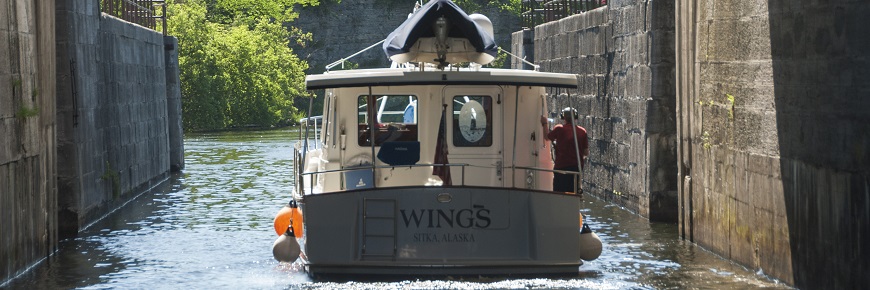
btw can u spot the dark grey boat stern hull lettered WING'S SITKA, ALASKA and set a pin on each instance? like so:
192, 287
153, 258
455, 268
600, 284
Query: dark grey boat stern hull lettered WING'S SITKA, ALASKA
442, 231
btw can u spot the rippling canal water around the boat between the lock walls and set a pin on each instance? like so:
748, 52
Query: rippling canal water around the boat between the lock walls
211, 227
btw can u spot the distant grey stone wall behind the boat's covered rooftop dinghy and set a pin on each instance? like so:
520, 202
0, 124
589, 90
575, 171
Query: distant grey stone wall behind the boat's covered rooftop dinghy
342, 29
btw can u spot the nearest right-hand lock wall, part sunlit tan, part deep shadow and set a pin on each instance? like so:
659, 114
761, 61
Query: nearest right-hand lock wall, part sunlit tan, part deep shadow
774, 136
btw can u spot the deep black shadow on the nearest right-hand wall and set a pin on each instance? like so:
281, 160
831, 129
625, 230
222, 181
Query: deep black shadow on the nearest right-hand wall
821, 84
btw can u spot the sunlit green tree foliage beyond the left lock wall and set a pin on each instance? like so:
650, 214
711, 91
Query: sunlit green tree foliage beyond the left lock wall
237, 68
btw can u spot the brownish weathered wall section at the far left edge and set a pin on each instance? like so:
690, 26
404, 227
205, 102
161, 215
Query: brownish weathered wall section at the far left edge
28, 195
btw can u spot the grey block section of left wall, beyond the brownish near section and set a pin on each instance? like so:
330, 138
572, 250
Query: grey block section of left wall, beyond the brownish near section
113, 132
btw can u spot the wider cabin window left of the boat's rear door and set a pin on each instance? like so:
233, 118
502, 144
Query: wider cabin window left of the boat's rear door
396, 118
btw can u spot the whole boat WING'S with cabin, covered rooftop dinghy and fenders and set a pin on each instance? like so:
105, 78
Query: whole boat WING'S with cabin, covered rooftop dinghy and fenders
430, 167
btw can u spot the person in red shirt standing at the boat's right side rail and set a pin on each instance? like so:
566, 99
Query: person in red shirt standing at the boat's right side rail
567, 151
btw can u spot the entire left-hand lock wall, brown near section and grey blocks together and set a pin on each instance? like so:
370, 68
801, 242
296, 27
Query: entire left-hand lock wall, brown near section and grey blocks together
85, 107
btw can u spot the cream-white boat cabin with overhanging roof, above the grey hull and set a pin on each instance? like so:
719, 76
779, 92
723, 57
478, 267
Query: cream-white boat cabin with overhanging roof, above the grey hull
493, 131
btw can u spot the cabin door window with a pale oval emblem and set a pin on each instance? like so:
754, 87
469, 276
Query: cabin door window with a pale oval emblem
472, 121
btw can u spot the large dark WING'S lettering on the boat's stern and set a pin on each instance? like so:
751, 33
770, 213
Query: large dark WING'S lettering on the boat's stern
478, 217
